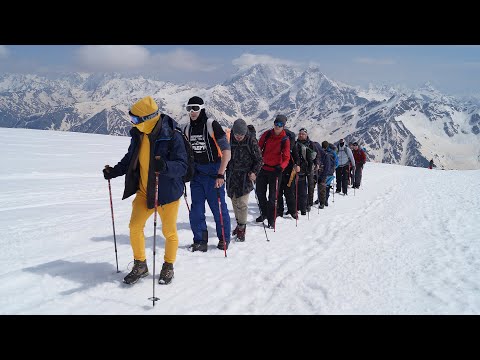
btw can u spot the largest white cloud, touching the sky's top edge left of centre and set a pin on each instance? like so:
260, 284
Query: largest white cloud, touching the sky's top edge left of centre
112, 57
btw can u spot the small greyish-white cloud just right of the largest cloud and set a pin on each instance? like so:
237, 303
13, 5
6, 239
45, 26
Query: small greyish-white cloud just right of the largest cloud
181, 60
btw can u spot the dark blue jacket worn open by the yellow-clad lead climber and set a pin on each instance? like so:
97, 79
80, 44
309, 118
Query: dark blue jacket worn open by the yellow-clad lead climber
167, 143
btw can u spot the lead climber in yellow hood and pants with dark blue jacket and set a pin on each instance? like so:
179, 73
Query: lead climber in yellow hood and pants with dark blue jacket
154, 147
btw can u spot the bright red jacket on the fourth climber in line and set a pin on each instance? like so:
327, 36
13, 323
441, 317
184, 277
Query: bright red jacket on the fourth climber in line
275, 153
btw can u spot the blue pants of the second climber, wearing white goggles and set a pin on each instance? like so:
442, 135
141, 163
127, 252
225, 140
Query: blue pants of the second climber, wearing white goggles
202, 187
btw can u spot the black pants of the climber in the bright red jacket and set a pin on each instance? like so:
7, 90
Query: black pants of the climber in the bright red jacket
267, 179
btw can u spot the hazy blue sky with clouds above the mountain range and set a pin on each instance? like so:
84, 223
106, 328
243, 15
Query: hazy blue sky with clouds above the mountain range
453, 69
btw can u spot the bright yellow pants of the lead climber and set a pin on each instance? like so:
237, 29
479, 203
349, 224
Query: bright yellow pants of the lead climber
140, 214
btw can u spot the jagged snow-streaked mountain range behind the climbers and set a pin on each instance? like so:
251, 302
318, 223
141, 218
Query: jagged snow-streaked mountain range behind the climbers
395, 125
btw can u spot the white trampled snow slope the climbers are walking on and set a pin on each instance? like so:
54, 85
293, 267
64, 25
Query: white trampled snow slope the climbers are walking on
407, 242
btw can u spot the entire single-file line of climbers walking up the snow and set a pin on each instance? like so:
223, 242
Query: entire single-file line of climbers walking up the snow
218, 163
